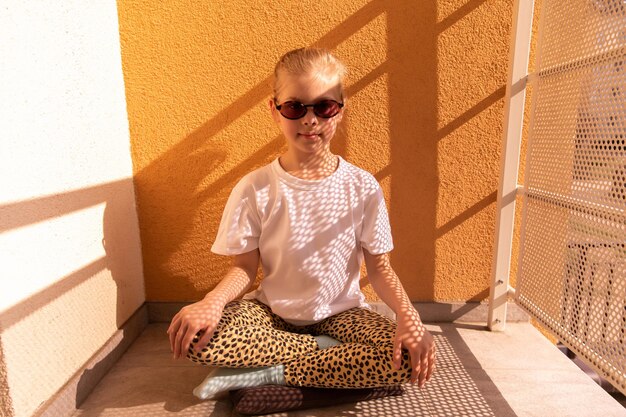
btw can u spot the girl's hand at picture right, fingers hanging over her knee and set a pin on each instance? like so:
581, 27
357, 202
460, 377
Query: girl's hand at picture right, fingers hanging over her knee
412, 335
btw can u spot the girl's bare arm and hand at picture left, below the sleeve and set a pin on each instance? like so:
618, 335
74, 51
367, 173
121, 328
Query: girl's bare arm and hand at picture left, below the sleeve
205, 314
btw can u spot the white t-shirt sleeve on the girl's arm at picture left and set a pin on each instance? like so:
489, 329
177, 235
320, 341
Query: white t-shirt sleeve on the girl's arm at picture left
240, 226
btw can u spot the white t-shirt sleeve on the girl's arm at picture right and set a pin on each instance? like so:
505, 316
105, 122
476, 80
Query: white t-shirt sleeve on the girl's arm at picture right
376, 231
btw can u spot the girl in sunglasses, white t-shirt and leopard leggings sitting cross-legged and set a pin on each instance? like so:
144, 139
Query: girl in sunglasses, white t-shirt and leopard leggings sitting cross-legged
310, 218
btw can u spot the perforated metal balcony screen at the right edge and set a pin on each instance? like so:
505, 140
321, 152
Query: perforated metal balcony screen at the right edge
572, 274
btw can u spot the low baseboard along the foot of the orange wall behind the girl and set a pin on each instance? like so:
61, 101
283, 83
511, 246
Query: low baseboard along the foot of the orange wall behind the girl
472, 312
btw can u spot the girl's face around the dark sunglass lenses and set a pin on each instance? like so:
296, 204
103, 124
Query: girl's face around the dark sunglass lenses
310, 134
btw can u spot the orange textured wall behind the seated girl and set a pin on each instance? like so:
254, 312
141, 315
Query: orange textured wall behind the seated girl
426, 88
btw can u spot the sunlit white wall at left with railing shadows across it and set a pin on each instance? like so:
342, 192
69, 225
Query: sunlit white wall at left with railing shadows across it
69, 242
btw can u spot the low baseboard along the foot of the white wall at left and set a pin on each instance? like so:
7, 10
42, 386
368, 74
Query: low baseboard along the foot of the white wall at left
77, 389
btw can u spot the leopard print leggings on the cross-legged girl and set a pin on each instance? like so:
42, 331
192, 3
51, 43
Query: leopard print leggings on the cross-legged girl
249, 335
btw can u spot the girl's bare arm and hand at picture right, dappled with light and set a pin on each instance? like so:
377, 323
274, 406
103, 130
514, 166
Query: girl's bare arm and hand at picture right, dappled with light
411, 333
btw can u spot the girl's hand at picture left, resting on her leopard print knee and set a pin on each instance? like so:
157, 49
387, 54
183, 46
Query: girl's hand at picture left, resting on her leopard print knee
203, 315
